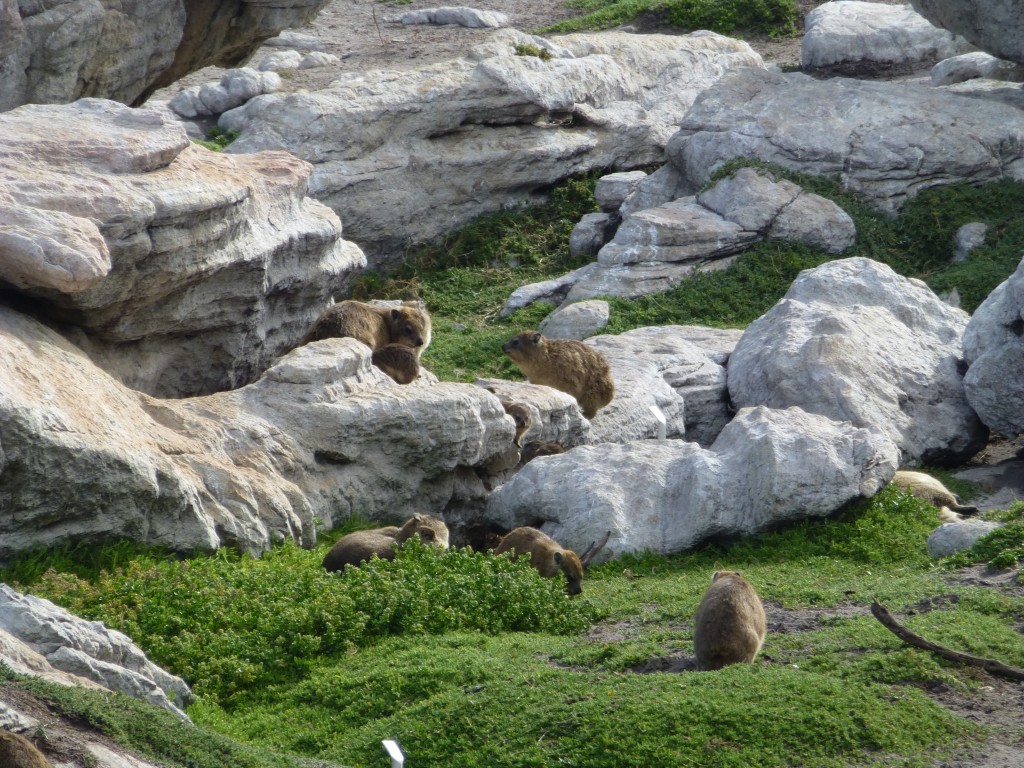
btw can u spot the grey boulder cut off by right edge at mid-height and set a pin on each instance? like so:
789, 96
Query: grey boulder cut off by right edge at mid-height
994, 349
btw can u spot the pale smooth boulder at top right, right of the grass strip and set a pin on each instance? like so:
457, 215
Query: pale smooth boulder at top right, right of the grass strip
868, 39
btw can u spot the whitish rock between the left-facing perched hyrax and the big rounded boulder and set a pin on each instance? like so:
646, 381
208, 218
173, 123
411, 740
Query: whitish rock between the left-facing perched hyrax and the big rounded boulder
678, 371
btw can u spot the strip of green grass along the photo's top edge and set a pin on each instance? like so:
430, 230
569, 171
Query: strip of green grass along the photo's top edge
776, 18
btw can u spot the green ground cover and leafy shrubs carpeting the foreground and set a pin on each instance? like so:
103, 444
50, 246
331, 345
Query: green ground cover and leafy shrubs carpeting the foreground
471, 660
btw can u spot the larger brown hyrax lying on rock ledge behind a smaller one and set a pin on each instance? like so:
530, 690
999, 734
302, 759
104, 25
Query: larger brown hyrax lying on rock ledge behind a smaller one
374, 326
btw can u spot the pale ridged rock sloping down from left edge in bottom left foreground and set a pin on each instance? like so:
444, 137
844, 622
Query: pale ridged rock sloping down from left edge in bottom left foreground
45, 641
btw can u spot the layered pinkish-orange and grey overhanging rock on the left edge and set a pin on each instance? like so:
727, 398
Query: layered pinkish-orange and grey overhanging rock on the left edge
180, 270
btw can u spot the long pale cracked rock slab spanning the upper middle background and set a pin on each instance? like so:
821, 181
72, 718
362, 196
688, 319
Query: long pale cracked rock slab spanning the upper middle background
393, 149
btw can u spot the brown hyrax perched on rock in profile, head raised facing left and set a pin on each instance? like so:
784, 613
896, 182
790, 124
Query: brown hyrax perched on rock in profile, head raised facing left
567, 365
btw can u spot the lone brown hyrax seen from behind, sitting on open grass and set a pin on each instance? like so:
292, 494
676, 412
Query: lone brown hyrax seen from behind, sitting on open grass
730, 626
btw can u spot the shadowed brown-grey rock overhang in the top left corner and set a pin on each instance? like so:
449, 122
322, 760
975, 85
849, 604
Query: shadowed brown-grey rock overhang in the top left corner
61, 52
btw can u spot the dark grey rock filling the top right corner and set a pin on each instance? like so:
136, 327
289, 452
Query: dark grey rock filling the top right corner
995, 26
